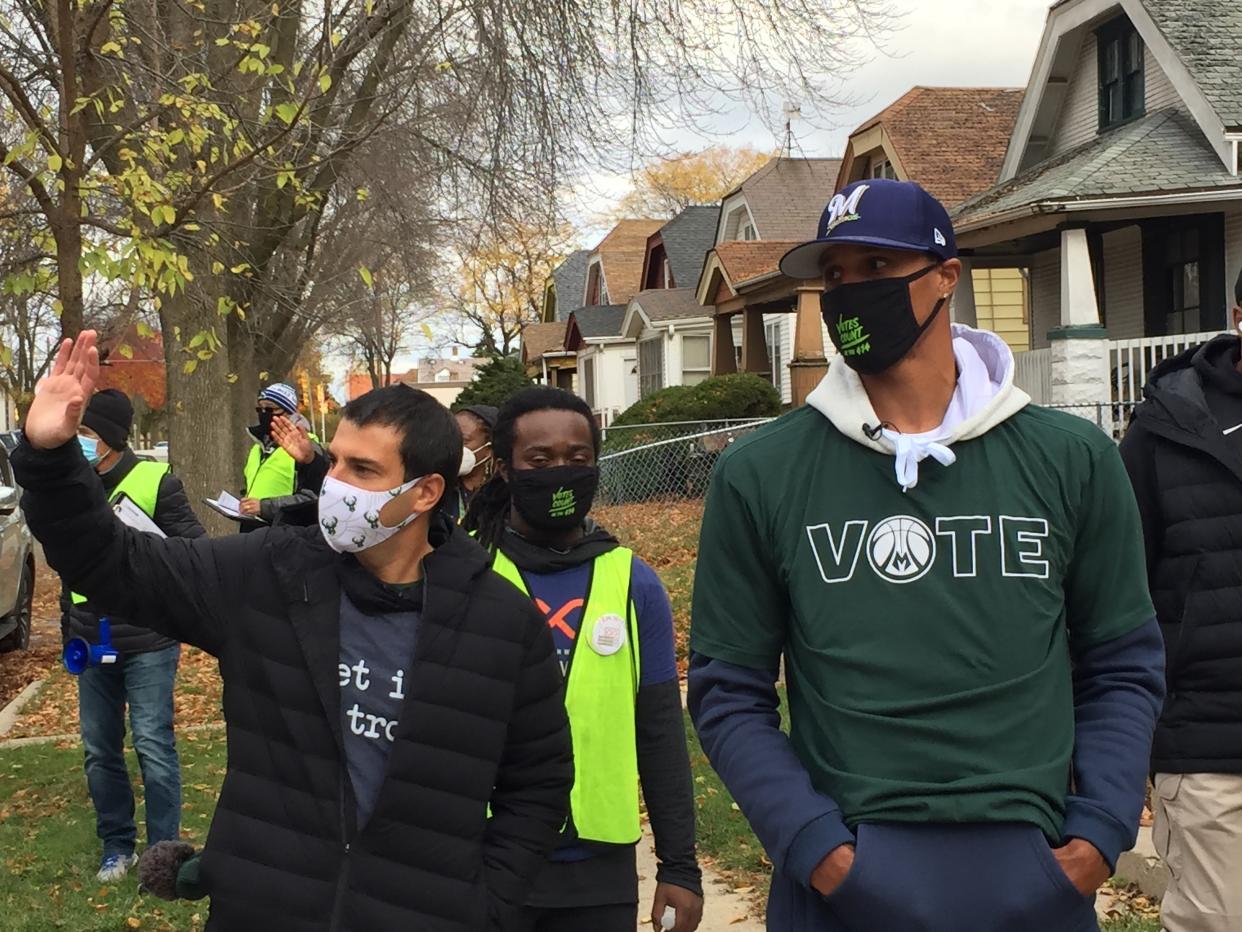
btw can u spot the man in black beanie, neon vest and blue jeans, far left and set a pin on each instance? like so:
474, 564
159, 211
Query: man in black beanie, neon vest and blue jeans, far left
145, 674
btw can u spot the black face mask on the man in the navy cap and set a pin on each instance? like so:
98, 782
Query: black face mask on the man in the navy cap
873, 324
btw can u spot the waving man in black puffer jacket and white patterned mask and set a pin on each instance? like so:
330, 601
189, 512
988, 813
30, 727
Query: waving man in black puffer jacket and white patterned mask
384, 692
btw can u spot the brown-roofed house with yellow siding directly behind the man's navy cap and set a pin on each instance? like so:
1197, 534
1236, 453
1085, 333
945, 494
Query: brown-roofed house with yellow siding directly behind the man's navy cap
952, 141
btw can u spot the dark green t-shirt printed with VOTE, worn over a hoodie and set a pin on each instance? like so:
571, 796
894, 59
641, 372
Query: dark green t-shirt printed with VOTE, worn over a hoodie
927, 636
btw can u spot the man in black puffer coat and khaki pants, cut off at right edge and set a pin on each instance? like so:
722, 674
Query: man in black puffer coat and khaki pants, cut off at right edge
1184, 454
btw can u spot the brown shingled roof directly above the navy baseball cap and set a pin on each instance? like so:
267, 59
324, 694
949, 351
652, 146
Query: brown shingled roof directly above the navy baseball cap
950, 140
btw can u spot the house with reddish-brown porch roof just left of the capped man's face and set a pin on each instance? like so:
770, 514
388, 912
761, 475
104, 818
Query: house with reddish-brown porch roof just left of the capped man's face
776, 321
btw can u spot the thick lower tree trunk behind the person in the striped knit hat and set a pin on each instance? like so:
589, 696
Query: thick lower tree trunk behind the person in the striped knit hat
199, 428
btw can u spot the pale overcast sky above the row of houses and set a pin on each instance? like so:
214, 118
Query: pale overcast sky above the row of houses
940, 44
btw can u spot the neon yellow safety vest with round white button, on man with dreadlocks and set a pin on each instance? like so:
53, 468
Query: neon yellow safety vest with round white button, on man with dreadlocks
601, 699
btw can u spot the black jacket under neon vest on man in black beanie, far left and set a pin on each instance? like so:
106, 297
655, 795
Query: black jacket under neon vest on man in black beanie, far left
176, 519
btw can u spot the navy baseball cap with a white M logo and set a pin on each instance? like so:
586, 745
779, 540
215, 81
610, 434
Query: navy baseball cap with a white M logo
877, 212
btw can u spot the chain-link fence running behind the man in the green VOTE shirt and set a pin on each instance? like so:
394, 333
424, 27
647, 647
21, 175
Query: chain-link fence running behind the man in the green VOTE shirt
675, 460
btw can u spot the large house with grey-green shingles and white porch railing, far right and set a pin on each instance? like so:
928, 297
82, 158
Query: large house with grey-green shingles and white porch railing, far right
1120, 194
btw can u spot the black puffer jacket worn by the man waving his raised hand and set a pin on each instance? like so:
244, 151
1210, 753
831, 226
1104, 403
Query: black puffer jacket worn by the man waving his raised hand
484, 721
